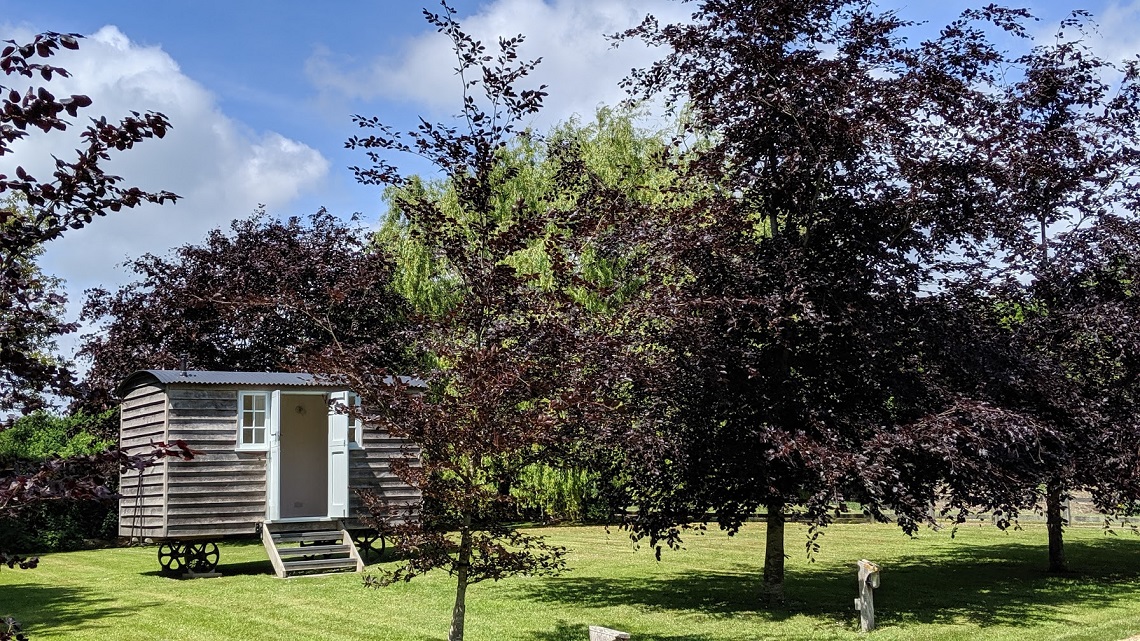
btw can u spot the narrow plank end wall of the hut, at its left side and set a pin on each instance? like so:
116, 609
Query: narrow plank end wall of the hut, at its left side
142, 509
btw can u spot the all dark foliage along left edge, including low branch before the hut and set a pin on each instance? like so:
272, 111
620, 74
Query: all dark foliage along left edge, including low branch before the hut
30, 306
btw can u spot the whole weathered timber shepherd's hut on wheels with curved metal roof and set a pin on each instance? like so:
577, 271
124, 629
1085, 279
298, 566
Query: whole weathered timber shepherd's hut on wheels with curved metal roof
279, 463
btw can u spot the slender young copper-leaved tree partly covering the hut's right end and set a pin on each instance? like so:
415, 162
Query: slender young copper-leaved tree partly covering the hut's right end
498, 364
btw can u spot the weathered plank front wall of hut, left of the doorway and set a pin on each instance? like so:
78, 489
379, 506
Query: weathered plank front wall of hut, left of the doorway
223, 492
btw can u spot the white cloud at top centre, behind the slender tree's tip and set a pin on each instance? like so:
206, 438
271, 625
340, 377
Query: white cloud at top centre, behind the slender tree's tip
580, 67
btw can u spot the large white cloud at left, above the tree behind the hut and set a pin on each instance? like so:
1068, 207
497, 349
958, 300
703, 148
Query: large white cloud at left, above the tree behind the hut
222, 169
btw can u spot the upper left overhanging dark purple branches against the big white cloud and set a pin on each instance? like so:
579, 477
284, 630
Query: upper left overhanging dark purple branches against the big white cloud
78, 192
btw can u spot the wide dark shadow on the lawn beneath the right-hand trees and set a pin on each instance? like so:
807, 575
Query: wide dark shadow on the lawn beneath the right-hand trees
984, 585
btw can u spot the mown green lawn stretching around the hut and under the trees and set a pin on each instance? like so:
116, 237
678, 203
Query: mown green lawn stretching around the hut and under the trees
982, 585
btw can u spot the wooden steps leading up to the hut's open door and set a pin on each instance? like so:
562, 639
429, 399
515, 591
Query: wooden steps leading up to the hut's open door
314, 549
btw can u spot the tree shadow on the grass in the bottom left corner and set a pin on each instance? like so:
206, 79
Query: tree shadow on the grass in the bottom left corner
60, 610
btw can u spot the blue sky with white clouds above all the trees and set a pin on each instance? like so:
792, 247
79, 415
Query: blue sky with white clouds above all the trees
260, 94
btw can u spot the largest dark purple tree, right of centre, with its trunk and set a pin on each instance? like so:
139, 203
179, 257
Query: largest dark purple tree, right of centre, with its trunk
780, 306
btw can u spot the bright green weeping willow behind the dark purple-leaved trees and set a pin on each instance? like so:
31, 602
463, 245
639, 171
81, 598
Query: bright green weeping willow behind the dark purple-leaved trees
579, 167
